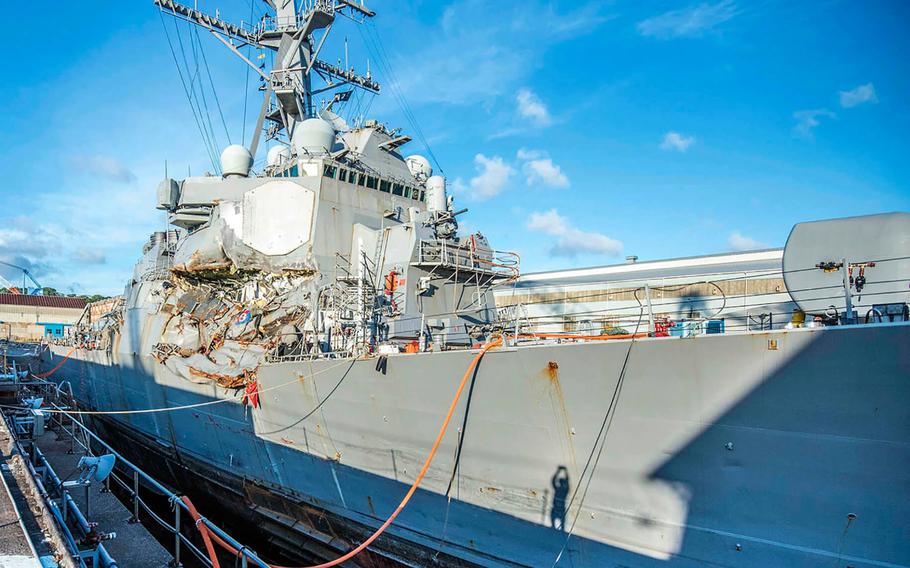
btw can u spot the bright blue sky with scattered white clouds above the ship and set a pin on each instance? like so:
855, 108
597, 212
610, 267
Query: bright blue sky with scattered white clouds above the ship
575, 132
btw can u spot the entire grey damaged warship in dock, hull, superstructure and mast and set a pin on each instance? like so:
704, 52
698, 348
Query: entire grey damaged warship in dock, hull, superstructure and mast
286, 351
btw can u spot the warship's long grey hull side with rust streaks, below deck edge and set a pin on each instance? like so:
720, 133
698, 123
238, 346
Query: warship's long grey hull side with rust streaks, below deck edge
784, 448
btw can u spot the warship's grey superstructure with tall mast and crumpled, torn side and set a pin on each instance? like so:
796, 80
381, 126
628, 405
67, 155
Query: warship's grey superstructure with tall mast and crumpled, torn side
341, 244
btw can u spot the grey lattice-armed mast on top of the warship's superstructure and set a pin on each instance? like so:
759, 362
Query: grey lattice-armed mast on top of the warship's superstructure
290, 32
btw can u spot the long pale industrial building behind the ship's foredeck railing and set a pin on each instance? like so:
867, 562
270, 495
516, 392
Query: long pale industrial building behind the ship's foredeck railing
734, 291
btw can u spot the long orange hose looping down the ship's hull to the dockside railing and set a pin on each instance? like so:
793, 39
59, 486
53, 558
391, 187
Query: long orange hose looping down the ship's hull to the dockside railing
423, 470
